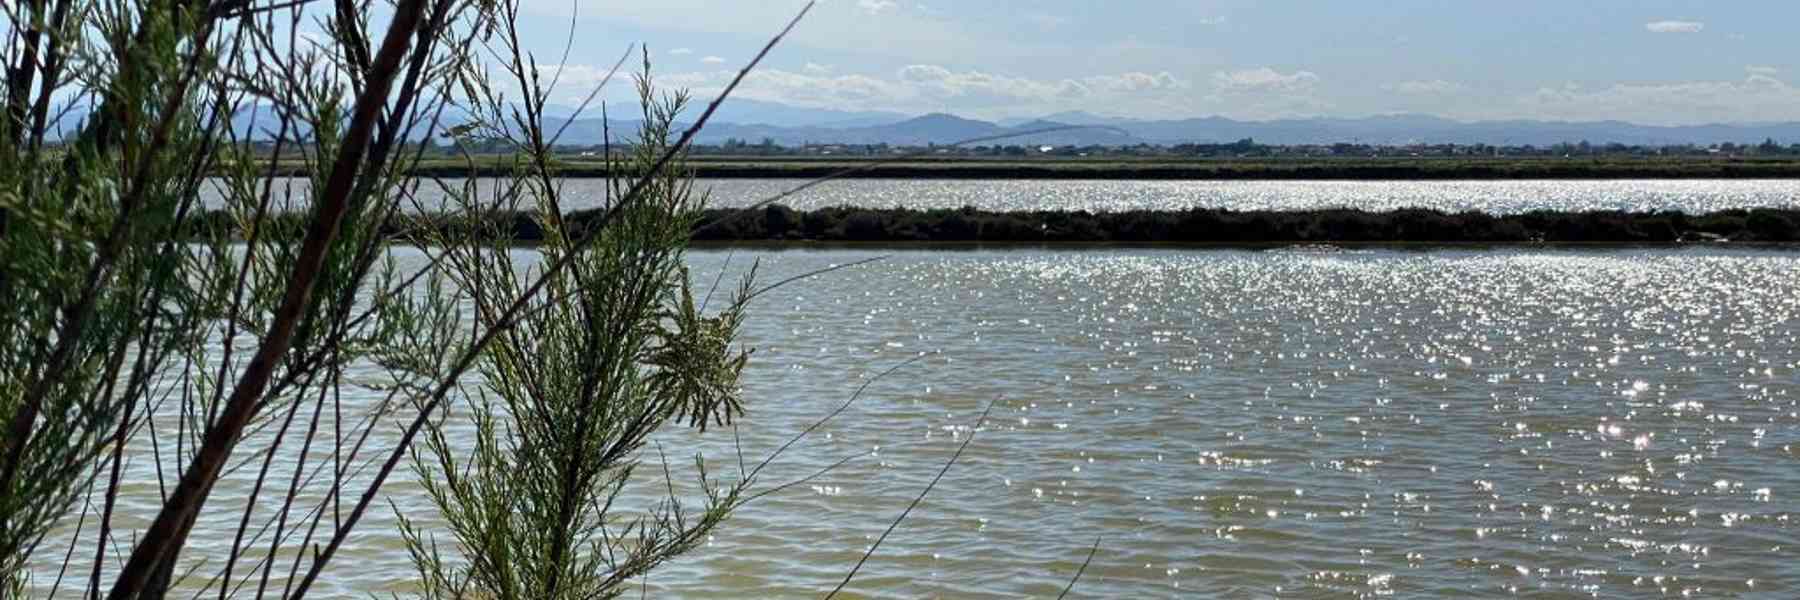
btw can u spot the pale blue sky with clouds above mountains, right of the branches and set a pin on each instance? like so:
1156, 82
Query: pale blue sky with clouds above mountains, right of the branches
1569, 60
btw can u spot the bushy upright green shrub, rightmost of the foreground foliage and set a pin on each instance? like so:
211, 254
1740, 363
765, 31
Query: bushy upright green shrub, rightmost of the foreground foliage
615, 349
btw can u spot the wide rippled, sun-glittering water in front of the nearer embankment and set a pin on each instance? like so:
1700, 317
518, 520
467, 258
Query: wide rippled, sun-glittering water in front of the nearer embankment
1254, 424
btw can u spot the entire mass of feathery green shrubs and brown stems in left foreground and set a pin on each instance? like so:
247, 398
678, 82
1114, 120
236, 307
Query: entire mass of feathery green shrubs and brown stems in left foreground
168, 298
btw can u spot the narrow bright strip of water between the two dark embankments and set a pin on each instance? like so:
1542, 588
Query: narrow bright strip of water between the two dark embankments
1120, 195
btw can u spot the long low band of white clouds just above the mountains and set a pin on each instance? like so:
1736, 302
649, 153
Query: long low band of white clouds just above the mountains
1243, 95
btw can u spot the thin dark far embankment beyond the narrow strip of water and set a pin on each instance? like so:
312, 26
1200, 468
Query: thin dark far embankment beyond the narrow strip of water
1398, 168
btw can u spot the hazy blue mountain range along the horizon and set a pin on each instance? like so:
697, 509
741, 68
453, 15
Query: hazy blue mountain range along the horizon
753, 122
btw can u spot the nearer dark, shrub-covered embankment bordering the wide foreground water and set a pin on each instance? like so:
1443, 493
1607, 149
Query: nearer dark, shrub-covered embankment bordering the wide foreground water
1194, 226
